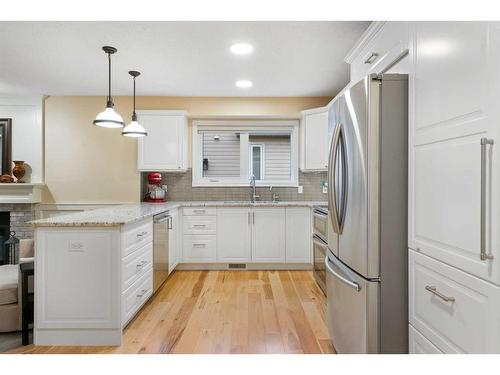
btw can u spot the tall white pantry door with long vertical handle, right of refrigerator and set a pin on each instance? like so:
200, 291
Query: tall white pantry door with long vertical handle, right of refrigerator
453, 104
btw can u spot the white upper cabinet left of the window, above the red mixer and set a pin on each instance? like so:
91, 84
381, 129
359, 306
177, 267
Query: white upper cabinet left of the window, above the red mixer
165, 147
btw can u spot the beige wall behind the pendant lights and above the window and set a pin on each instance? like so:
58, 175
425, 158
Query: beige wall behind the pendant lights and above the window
88, 164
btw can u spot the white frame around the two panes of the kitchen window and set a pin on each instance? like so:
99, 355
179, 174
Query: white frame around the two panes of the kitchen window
244, 127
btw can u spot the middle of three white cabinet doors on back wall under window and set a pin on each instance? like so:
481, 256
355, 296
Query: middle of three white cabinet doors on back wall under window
268, 234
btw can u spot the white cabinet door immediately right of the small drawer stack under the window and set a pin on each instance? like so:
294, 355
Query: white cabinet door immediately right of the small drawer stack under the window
233, 234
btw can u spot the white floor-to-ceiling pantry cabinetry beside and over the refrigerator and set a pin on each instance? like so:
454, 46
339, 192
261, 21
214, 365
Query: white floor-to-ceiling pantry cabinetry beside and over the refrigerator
454, 177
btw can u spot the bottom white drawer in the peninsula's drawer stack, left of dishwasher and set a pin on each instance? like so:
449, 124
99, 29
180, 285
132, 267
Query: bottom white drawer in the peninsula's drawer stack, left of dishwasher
135, 296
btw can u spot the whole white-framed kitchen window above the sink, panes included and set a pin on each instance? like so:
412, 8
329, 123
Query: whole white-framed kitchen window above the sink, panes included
228, 153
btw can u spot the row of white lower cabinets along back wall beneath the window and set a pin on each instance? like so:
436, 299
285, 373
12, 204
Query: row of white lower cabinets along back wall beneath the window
247, 234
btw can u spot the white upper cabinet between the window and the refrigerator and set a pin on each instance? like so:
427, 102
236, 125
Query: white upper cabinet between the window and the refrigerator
314, 139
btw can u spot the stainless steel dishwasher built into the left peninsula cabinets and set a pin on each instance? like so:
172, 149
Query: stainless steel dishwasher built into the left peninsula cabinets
162, 223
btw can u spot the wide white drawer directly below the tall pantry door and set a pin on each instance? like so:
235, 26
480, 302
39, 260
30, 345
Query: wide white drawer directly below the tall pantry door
457, 312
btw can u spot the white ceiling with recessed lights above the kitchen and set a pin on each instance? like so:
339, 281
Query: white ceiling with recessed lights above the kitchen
176, 58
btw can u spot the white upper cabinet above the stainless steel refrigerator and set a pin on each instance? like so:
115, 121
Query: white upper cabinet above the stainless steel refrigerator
381, 46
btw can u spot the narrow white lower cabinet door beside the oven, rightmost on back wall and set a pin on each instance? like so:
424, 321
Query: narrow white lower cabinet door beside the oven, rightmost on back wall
298, 235
